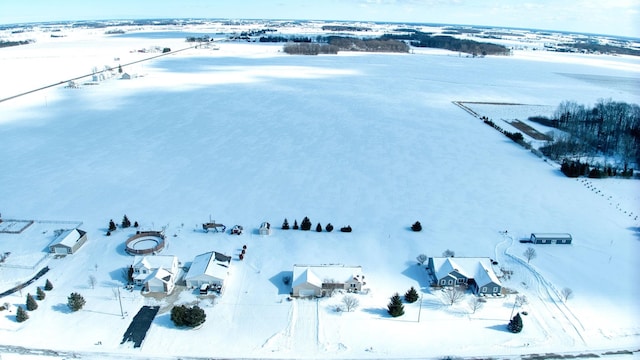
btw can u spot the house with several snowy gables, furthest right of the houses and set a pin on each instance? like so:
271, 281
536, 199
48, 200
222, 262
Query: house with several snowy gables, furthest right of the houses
477, 273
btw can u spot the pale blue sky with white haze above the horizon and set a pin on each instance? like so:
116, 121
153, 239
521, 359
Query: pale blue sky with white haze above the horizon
612, 17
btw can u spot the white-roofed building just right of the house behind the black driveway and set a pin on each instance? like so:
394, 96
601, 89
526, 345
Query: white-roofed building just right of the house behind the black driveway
210, 269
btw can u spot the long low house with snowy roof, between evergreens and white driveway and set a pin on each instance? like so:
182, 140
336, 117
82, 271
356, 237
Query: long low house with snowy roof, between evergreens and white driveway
322, 280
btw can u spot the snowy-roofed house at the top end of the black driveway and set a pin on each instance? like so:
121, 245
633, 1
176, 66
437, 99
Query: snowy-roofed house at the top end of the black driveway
156, 273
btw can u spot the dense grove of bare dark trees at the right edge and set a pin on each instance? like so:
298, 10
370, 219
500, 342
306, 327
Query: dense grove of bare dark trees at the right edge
605, 137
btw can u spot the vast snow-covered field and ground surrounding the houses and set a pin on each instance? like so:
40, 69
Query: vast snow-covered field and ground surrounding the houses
246, 134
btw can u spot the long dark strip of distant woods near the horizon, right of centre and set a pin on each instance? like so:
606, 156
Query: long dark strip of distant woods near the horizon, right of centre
422, 39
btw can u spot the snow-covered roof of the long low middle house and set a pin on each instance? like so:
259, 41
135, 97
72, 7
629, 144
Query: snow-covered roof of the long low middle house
317, 274
